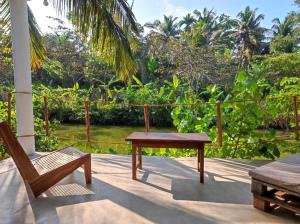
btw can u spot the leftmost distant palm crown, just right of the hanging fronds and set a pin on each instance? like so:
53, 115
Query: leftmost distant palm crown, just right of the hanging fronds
168, 28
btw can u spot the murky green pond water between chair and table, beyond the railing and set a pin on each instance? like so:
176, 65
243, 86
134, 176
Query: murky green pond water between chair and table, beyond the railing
103, 138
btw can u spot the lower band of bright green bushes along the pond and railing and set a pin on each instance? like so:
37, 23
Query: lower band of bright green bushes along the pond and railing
251, 105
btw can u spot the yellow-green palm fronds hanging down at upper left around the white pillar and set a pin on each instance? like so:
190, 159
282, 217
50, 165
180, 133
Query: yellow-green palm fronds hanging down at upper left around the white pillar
107, 26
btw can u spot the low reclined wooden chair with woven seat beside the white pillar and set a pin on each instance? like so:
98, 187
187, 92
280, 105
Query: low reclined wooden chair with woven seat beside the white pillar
44, 172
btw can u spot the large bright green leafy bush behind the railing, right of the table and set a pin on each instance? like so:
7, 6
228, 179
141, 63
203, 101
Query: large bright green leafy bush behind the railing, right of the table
246, 109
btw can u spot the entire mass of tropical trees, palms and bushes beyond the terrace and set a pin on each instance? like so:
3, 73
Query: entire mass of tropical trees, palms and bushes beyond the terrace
194, 67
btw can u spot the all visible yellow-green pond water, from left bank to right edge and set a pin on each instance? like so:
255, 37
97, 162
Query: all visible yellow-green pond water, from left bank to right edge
104, 139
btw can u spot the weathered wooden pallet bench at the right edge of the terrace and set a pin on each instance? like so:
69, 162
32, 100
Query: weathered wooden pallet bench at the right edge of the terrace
277, 184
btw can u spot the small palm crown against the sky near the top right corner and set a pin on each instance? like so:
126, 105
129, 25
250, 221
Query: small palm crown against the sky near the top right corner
285, 27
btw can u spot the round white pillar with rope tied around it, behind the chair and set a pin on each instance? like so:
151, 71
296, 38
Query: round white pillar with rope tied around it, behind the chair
22, 73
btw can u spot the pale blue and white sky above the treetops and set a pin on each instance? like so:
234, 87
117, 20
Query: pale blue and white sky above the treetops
150, 10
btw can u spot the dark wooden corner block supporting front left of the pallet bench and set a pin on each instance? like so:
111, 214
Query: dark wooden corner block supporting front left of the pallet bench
258, 189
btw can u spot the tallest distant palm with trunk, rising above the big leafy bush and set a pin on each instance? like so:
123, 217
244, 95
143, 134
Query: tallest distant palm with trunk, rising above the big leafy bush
249, 34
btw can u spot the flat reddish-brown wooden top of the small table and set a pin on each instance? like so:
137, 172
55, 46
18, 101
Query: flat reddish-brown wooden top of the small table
170, 137
